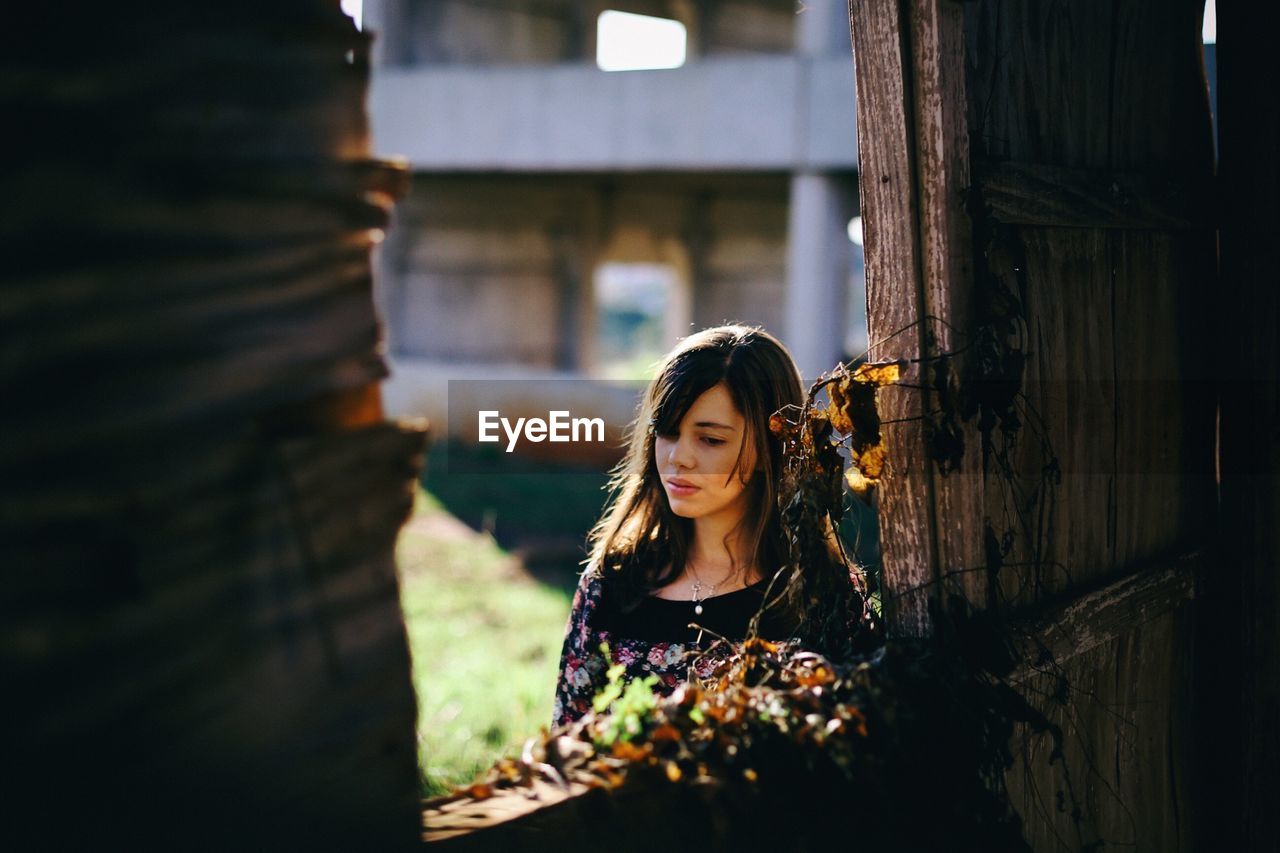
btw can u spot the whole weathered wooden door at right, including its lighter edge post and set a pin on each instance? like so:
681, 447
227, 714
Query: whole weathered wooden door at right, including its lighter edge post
1037, 227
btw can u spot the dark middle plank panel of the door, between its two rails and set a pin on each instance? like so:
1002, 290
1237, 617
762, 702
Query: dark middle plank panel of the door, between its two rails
1119, 408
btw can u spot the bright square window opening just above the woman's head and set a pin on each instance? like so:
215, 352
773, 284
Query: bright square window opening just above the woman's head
633, 303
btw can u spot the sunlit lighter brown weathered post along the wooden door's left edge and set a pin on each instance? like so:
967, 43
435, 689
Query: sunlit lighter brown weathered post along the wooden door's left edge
915, 172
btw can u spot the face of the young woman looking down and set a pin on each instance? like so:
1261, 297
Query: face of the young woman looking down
698, 464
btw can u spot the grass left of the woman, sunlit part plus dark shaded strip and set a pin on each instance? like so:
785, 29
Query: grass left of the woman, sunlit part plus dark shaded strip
486, 628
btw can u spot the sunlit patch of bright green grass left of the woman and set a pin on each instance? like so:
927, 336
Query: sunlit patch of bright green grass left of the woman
486, 641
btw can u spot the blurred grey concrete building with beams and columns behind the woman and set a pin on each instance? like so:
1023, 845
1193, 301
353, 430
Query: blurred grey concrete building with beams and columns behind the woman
550, 193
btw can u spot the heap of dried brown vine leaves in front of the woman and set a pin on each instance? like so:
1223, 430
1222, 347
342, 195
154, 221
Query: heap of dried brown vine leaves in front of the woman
900, 747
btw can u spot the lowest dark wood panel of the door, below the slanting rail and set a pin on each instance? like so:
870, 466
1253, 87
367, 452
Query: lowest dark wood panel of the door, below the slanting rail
1122, 778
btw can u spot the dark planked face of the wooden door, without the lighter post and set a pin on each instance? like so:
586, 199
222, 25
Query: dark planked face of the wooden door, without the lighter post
1090, 138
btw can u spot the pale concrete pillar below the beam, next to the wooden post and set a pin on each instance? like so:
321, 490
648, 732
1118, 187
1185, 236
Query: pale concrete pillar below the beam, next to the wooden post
817, 273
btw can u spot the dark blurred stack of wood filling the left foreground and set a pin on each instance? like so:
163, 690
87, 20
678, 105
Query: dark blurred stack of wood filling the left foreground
200, 631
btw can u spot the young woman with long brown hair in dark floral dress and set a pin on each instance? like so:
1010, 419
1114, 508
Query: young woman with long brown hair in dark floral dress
693, 533
